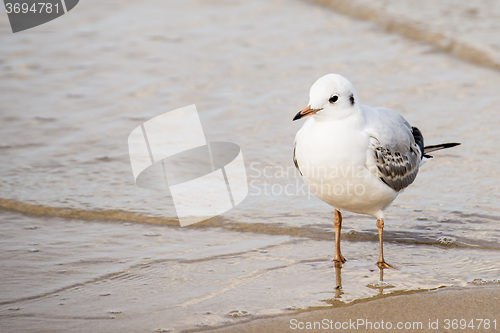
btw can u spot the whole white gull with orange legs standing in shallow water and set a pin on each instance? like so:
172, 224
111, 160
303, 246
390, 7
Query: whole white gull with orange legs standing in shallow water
356, 157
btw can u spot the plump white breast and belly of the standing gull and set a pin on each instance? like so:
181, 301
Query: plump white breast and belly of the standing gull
331, 156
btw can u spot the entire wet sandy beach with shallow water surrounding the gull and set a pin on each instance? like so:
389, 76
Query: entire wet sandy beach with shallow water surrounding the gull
84, 249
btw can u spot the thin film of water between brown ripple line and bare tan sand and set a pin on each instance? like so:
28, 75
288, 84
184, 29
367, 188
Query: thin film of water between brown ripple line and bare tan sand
64, 273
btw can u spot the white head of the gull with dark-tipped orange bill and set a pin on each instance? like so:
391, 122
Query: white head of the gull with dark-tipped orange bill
331, 97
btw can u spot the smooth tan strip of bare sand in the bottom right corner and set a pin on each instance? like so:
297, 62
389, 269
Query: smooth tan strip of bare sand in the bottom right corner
427, 311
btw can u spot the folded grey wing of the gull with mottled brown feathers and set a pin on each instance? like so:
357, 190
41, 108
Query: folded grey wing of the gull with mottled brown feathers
394, 153
